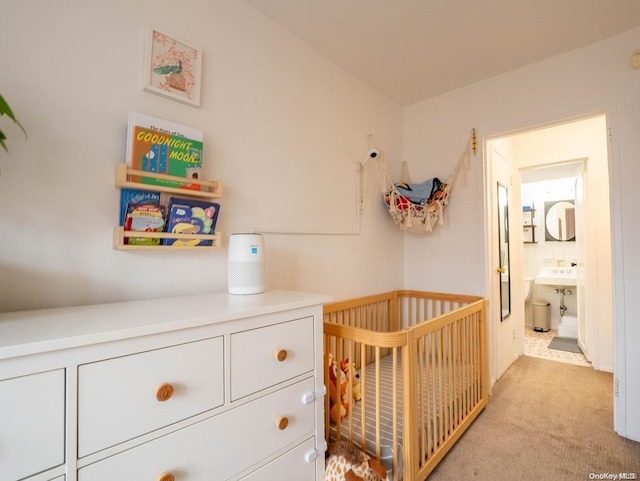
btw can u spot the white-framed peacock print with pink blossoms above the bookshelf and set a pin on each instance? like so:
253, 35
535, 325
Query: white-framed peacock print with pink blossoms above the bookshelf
172, 67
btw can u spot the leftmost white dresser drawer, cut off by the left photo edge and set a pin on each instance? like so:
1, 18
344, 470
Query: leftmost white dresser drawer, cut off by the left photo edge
31, 424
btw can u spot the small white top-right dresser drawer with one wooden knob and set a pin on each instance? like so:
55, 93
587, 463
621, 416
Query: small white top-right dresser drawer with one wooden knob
269, 355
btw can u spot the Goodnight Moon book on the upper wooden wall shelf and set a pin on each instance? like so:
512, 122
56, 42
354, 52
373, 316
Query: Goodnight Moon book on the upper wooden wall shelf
164, 147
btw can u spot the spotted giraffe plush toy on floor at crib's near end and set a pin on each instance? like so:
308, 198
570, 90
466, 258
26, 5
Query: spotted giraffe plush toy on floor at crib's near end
347, 463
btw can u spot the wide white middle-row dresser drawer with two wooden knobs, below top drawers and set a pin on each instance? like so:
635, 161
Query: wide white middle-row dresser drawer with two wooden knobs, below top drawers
218, 447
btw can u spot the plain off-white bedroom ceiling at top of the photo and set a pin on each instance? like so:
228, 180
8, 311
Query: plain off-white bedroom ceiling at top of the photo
411, 50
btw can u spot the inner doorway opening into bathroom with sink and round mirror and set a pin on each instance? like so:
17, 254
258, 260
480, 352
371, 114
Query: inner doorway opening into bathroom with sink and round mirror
553, 241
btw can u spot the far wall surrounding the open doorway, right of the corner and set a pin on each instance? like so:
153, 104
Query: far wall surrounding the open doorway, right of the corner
583, 81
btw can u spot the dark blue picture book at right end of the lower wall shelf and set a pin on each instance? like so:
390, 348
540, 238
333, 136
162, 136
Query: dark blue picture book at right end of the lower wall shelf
187, 216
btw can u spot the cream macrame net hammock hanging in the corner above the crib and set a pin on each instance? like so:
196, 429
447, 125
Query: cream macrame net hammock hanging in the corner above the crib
417, 208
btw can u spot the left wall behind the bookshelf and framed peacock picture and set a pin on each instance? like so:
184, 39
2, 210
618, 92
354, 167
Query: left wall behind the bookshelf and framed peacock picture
283, 127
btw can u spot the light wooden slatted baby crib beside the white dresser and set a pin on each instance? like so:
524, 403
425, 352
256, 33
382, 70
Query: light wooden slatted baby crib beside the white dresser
423, 350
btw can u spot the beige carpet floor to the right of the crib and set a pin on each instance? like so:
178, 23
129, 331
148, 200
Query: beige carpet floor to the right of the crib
546, 420
